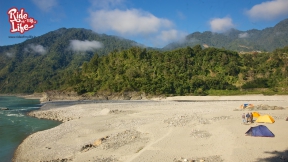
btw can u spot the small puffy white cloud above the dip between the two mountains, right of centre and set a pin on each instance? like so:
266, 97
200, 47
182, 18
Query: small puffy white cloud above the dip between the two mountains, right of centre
221, 24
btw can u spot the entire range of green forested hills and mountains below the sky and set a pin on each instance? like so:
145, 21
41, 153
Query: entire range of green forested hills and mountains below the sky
118, 65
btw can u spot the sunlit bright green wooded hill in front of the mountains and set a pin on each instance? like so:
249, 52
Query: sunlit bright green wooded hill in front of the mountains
184, 71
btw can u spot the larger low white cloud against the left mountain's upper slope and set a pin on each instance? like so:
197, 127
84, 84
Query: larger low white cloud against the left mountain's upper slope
77, 45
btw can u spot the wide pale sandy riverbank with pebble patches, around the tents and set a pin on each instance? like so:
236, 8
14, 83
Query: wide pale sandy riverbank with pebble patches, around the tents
164, 130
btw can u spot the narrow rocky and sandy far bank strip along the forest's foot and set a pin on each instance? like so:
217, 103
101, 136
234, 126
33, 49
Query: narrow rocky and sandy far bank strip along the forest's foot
73, 96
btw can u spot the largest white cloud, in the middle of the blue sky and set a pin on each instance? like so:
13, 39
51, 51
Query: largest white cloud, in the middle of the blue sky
110, 16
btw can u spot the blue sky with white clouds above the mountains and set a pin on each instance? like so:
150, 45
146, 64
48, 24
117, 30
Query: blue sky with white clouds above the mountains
153, 23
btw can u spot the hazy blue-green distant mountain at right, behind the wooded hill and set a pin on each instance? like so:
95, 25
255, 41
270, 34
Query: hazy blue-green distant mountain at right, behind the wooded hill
252, 40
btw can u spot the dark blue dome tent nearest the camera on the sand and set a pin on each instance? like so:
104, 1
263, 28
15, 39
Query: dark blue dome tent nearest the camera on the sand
260, 131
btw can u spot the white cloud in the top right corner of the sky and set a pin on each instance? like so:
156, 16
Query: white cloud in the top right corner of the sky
269, 10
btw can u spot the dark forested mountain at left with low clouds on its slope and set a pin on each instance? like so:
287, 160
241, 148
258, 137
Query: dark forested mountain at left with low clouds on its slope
45, 62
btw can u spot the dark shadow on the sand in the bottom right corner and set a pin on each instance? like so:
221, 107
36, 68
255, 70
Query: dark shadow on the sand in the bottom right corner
277, 156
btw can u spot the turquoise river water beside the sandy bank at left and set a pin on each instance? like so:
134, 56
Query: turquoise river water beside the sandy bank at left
15, 125
